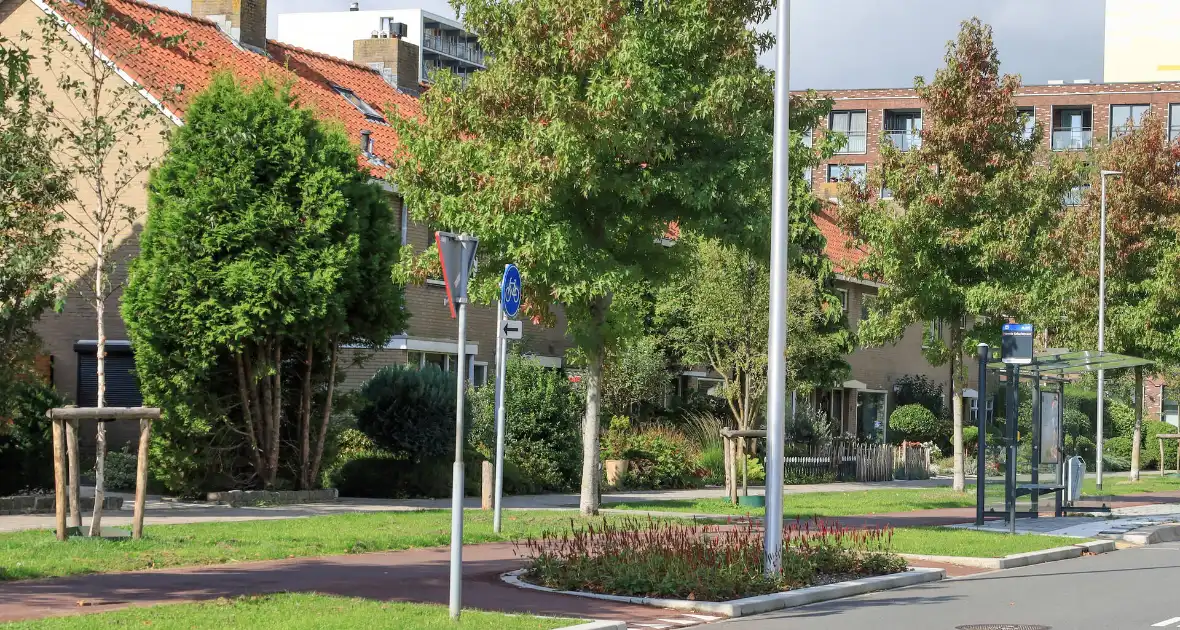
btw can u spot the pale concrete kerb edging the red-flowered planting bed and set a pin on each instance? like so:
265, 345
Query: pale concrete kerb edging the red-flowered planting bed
764, 603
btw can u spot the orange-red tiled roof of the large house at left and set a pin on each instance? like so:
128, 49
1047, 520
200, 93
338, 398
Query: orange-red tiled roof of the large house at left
176, 74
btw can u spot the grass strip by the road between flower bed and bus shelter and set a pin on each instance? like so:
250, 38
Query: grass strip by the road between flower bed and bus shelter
972, 544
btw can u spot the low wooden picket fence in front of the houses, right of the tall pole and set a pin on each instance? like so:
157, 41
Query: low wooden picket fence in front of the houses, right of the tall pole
844, 461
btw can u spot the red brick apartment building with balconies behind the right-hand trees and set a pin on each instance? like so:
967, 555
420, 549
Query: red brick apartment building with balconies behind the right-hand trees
1073, 116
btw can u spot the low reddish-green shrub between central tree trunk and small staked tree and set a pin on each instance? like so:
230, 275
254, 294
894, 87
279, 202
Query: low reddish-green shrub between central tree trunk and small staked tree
663, 458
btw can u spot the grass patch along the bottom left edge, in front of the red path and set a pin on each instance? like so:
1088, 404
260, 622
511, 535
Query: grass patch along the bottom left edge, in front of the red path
294, 612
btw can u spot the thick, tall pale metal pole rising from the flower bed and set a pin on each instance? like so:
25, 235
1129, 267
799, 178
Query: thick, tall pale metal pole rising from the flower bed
777, 369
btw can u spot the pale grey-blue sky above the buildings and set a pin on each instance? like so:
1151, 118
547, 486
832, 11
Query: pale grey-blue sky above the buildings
840, 44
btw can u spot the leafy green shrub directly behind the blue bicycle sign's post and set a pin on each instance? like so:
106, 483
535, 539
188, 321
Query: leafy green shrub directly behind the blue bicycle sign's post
543, 421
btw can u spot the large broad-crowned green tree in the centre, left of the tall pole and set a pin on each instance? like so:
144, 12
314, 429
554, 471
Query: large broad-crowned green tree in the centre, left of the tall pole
596, 126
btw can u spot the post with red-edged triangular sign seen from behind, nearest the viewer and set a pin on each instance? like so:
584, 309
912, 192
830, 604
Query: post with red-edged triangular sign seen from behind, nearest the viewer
457, 255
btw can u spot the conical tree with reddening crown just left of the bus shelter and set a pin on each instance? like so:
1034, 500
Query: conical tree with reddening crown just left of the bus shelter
972, 211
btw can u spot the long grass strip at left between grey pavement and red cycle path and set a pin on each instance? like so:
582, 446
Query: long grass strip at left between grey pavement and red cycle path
37, 554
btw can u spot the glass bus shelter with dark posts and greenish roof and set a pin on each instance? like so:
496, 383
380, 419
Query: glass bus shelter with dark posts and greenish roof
1047, 372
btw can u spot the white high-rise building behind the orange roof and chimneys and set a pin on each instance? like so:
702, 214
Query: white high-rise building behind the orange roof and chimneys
442, 42
